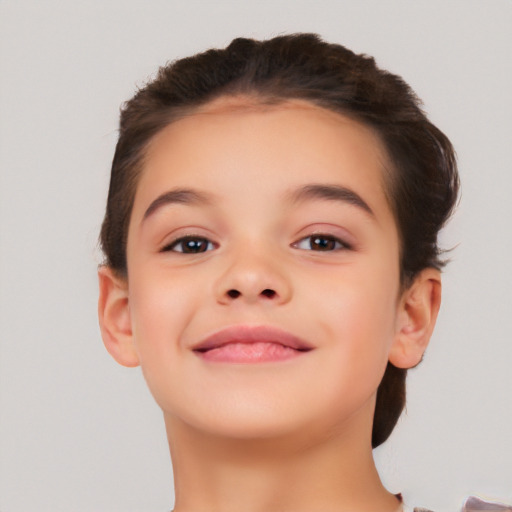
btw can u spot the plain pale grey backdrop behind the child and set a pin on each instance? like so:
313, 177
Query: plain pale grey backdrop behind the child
80, 433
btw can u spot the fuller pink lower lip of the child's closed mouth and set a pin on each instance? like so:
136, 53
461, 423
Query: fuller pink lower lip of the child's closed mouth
259, 352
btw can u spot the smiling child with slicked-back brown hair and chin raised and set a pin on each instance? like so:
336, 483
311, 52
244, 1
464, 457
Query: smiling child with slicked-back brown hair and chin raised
272, 265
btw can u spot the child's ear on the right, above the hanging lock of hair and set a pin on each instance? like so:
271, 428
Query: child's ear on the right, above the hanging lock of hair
419, 306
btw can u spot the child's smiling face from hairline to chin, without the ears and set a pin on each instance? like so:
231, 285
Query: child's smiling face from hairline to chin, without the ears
265, 230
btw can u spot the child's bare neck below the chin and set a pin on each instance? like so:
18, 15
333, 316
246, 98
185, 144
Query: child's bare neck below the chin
296, 473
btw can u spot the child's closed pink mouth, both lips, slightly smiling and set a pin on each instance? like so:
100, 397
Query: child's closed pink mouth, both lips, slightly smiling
251, 344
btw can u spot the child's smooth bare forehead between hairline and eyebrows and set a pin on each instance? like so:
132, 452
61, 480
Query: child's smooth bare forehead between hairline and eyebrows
231, 144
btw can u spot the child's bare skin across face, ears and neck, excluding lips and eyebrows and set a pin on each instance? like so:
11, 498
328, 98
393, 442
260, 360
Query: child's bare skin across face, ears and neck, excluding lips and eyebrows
281, 436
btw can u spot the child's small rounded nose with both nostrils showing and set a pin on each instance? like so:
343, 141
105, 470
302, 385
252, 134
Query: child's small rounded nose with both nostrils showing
253, 278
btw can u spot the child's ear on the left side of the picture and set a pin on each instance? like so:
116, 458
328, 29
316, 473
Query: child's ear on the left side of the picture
114, 317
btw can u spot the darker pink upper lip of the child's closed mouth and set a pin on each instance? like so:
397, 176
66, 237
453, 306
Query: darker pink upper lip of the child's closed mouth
251, 334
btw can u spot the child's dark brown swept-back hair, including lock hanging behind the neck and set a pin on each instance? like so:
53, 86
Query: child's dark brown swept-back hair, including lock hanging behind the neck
422, 187
